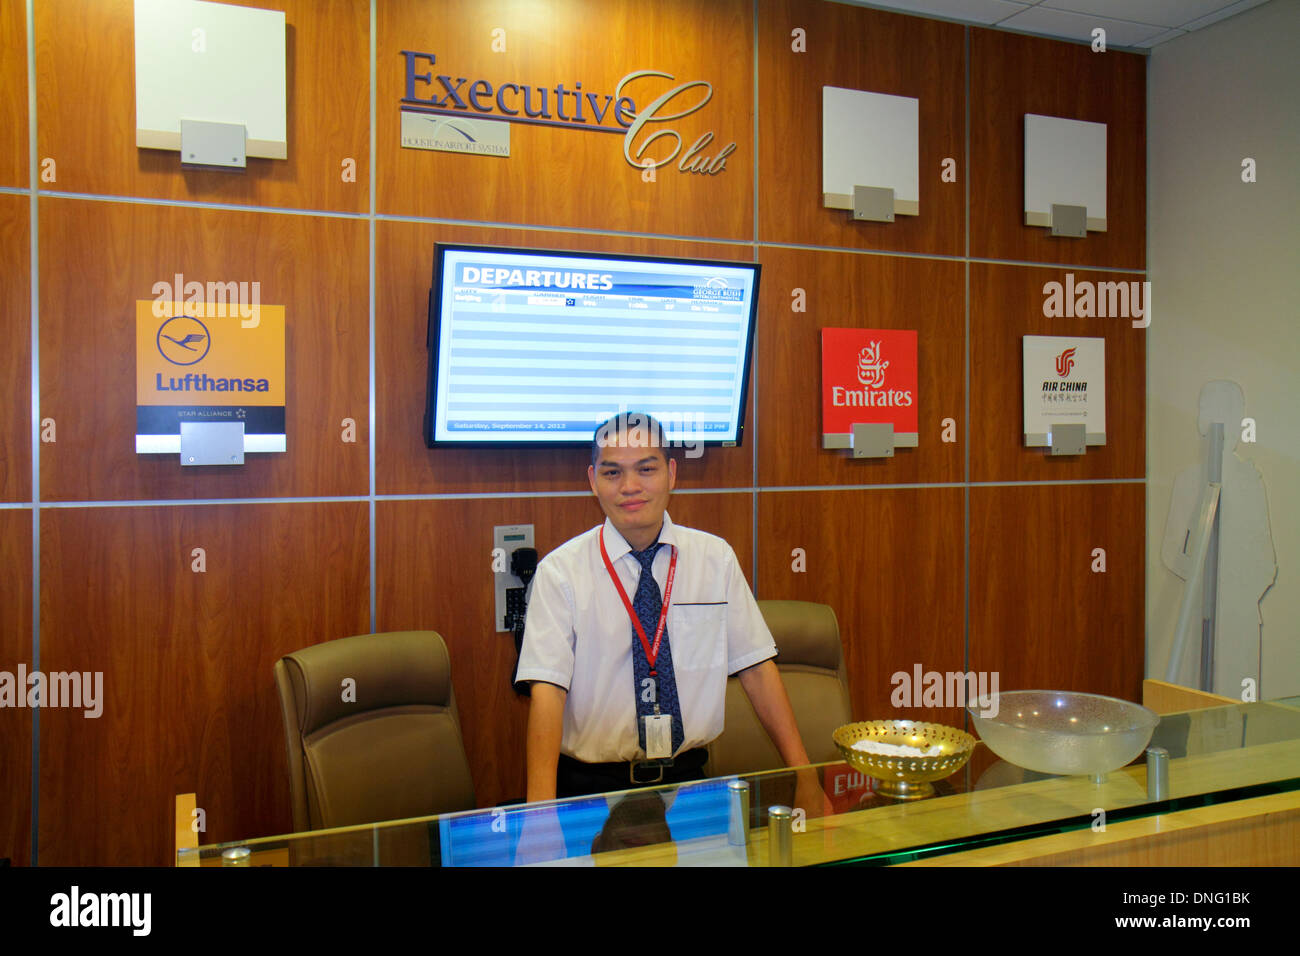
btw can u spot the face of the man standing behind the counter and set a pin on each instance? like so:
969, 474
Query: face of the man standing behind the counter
632, 483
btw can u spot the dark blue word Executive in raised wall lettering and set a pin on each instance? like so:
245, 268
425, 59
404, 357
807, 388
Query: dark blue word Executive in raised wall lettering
538, 102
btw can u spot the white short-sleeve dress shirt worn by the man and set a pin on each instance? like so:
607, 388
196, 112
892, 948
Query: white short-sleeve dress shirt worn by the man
579, 637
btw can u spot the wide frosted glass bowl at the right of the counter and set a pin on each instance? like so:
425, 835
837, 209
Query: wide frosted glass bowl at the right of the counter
1065, 733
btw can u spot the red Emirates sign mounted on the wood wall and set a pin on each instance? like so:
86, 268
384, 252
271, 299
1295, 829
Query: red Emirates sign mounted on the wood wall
869, 377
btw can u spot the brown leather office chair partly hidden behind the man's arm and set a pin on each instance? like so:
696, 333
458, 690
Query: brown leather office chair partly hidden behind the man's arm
812, 667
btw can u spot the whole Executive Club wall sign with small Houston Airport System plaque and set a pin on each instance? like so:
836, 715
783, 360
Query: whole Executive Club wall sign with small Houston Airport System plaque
471, 115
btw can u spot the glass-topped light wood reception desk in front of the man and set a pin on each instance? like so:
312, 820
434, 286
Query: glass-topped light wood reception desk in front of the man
1234, 799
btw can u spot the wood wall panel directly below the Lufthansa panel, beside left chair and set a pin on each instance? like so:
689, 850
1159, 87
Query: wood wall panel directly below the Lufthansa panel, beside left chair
187, 656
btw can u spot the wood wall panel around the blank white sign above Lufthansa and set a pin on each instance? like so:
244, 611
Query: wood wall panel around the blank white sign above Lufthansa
86, 103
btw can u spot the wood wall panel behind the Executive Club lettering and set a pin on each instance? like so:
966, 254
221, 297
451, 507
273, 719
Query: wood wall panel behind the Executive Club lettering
561, 178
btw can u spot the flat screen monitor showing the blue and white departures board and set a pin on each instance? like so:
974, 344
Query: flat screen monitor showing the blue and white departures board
539, 348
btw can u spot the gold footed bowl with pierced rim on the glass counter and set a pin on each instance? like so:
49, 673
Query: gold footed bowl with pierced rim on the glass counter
905, 777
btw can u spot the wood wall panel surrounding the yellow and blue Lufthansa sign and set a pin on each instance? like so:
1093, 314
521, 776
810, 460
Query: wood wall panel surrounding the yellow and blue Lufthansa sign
315, 267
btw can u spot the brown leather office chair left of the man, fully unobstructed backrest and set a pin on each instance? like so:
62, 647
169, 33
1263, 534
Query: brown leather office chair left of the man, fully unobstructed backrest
393, 751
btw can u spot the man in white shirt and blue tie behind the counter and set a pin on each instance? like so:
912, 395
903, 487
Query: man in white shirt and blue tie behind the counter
630, 671
